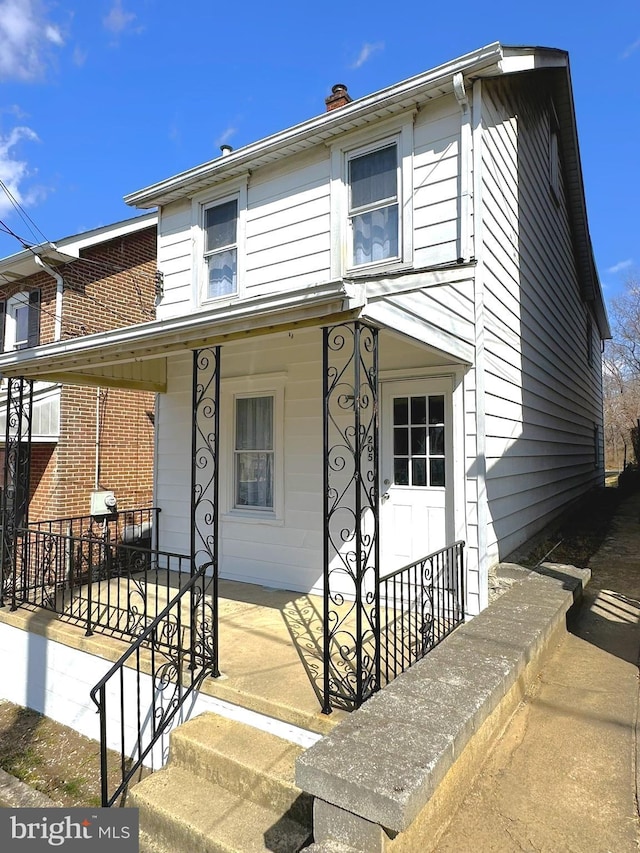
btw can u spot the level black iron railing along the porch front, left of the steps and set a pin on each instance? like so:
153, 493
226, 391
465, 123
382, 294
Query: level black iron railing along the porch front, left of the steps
95, 581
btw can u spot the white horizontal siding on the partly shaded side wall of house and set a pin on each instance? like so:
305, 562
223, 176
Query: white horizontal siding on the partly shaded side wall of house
541, 400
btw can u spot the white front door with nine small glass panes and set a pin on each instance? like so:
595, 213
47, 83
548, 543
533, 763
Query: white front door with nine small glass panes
416, 470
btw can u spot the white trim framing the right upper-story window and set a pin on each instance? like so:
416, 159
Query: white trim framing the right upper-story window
355, 144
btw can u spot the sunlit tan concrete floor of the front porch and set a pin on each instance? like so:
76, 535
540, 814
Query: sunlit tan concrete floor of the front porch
270, 650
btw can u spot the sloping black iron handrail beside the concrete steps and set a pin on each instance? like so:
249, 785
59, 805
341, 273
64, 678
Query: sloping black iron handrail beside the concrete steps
142, 694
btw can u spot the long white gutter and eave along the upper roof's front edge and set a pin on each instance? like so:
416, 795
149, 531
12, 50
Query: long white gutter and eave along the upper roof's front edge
330, 123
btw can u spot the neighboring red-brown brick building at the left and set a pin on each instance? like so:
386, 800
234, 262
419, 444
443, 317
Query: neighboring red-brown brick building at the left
85, 438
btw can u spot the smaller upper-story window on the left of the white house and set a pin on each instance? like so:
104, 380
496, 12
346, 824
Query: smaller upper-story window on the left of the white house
221, 248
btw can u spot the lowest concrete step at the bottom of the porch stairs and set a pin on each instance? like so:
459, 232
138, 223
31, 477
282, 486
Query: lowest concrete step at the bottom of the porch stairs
180, 813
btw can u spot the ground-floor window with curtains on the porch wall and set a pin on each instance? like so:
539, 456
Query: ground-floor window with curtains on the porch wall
254, 452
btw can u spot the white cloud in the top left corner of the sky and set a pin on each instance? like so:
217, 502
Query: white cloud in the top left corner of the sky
26, 37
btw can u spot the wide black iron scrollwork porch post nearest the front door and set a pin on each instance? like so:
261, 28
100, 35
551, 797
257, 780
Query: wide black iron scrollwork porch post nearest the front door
351, 521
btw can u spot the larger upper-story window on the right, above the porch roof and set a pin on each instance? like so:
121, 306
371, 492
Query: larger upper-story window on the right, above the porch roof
373, 205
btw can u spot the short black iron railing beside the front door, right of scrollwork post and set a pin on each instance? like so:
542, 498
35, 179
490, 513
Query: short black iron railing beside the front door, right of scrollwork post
420, 604
